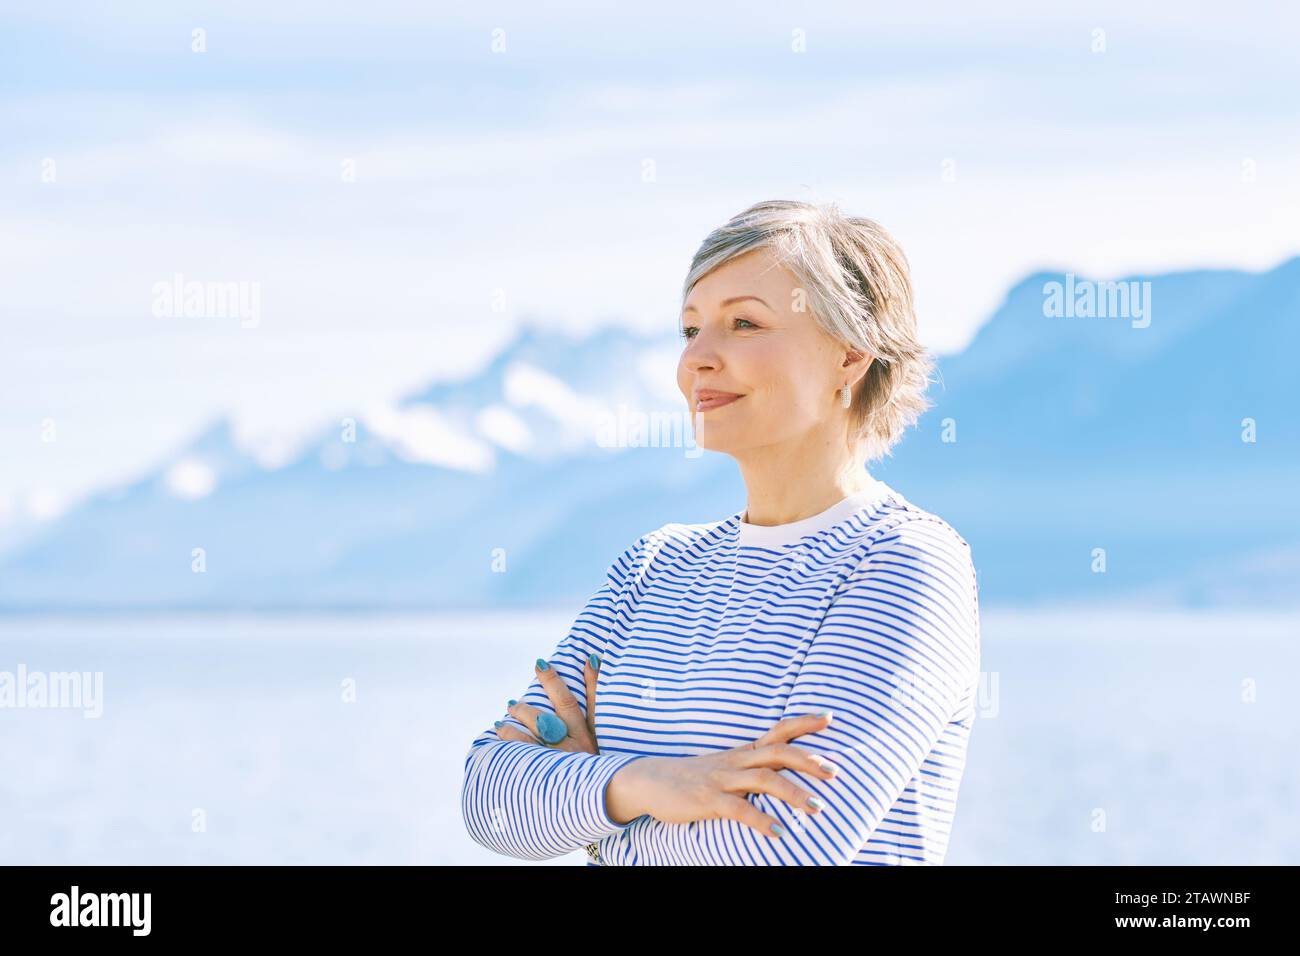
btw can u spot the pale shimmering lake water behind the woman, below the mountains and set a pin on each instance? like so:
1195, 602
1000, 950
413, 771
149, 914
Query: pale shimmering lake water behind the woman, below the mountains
1116, 738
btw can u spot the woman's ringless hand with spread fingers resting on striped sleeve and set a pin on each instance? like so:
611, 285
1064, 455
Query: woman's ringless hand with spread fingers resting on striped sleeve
682, 790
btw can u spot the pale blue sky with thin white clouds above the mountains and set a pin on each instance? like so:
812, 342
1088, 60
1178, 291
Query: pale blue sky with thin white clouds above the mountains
499, 188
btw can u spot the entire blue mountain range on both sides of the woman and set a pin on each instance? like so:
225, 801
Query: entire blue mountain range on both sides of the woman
1054, 439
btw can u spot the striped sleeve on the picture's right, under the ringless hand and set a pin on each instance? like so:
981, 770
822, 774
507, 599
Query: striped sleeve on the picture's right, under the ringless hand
895, 656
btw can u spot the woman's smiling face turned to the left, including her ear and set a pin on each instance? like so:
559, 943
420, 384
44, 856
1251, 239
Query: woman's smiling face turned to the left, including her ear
746, 332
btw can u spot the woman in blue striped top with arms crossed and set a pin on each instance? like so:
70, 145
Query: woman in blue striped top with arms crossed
791, 685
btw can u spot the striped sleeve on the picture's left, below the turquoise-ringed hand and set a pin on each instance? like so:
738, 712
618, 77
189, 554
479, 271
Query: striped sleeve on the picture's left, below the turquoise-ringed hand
538, 803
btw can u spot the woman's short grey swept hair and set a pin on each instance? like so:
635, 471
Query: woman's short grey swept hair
859, 288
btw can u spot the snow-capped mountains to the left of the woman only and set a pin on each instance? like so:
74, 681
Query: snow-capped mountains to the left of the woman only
509, 487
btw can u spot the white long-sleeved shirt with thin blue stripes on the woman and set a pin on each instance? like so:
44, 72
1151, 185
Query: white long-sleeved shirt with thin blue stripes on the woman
709, 635
